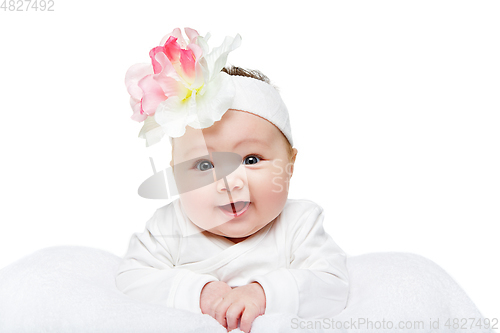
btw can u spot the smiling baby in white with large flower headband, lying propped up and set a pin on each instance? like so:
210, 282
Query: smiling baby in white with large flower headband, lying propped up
232, 245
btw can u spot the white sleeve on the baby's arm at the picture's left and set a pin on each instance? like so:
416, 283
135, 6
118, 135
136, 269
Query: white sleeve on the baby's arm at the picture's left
147, 273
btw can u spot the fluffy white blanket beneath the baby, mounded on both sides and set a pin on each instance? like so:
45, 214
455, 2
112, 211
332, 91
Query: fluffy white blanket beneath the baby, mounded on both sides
72, 289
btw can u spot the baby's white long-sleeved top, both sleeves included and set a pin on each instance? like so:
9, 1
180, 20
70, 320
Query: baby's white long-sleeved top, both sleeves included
299, 266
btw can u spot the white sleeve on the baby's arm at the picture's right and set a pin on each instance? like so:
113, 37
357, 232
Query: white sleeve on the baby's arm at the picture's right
316, 284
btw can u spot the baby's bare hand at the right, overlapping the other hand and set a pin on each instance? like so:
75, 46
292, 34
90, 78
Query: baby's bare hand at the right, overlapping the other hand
245, 302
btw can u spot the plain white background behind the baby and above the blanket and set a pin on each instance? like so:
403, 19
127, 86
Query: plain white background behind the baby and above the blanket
394, 108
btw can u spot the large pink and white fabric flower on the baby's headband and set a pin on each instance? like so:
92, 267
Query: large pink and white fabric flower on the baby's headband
183, 85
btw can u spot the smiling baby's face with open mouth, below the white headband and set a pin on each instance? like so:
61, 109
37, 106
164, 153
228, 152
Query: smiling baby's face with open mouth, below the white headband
258, 187
